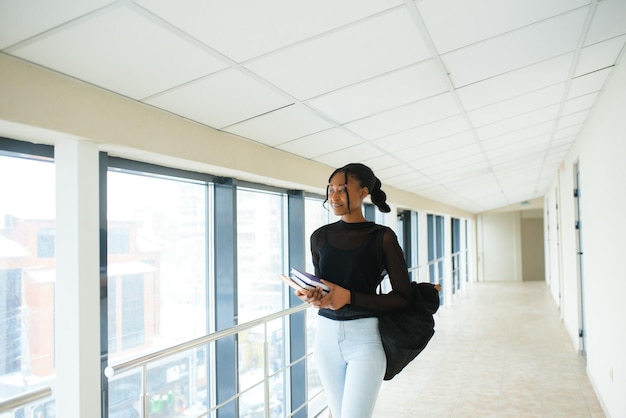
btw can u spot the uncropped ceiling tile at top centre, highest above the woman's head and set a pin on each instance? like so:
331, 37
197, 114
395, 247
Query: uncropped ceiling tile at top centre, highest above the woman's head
385, 42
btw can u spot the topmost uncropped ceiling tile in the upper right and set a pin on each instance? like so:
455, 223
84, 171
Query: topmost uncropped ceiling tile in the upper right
517, 49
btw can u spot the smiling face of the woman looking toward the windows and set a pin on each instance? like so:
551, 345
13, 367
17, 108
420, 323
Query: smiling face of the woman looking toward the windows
345, 199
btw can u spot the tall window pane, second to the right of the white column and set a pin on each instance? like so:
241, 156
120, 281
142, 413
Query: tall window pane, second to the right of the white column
260, 259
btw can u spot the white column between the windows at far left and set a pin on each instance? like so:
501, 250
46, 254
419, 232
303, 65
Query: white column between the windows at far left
77, 298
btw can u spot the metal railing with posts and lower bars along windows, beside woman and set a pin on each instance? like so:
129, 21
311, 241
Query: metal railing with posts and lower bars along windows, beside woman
141, 363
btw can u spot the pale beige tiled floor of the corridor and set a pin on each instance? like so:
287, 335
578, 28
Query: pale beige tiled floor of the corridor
499, 351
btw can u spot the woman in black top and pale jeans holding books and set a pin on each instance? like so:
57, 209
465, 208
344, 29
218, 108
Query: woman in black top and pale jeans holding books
348, 351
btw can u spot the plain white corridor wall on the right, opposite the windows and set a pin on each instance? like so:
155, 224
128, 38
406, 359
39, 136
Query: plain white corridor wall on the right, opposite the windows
600, 150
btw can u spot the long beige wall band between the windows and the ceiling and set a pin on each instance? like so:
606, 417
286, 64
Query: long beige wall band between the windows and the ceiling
42, 106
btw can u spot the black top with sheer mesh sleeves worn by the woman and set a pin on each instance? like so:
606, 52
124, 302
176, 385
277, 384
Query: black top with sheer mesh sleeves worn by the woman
345, 254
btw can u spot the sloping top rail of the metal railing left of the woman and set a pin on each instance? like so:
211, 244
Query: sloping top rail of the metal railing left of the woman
111, 371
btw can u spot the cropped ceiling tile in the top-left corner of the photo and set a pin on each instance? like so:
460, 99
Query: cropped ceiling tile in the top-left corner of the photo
20, 20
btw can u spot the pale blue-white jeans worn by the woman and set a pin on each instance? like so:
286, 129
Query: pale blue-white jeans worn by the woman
351, 363
